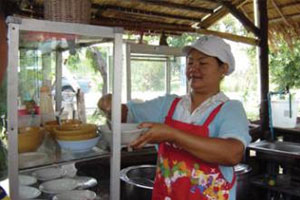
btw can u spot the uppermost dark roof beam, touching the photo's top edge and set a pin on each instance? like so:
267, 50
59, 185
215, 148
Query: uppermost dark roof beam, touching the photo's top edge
177, 6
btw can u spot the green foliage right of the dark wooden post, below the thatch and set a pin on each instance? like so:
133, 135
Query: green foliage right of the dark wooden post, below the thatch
284, 66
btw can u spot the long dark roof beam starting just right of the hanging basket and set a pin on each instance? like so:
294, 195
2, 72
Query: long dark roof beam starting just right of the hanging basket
144, 12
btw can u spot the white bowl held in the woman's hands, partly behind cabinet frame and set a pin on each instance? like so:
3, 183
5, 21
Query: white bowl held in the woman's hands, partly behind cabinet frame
129, 132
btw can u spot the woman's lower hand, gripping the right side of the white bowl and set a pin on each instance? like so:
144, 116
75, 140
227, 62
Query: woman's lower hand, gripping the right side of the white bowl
157, 133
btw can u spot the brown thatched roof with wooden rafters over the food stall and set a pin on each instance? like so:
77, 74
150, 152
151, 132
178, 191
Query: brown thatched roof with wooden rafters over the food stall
179, 16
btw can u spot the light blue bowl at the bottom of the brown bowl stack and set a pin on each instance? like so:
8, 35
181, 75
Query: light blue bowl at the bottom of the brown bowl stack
80, 145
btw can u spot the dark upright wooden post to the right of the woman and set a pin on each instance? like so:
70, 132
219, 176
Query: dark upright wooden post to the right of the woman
263, 63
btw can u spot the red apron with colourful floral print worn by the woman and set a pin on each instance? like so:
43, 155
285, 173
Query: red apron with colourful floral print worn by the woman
182, 176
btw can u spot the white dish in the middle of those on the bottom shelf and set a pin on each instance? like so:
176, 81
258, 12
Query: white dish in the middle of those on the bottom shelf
58, 186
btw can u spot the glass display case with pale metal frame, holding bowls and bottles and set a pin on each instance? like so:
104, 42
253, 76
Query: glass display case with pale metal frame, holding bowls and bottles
42, 90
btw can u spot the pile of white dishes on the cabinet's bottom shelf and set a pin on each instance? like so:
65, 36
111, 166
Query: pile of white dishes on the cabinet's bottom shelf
57, 185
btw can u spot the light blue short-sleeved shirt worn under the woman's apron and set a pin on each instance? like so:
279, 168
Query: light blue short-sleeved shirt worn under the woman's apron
230, 122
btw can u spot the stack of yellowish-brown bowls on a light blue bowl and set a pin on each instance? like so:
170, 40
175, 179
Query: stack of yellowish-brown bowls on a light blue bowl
77, 138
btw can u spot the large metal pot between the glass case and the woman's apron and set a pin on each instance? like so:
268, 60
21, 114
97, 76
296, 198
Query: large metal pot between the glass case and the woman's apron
137, 182
